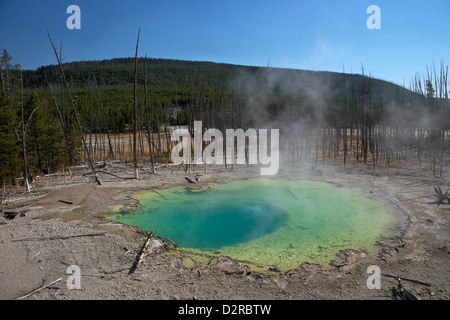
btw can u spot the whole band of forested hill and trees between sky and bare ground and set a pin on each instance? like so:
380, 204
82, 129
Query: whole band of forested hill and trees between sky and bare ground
323, 116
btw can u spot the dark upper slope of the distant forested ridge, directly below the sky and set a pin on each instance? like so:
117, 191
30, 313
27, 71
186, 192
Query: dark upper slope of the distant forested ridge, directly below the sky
167, 73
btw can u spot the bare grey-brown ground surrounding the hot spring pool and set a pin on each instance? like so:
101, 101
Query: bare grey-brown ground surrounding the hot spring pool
37, 247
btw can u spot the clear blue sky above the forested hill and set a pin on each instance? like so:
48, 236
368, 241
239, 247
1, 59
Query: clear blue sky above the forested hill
325, 35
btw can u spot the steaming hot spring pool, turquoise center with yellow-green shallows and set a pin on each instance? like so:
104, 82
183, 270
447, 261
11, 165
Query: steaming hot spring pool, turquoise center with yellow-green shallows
265, 222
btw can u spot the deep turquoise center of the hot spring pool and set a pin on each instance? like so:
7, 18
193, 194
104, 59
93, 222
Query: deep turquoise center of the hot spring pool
214, 225
